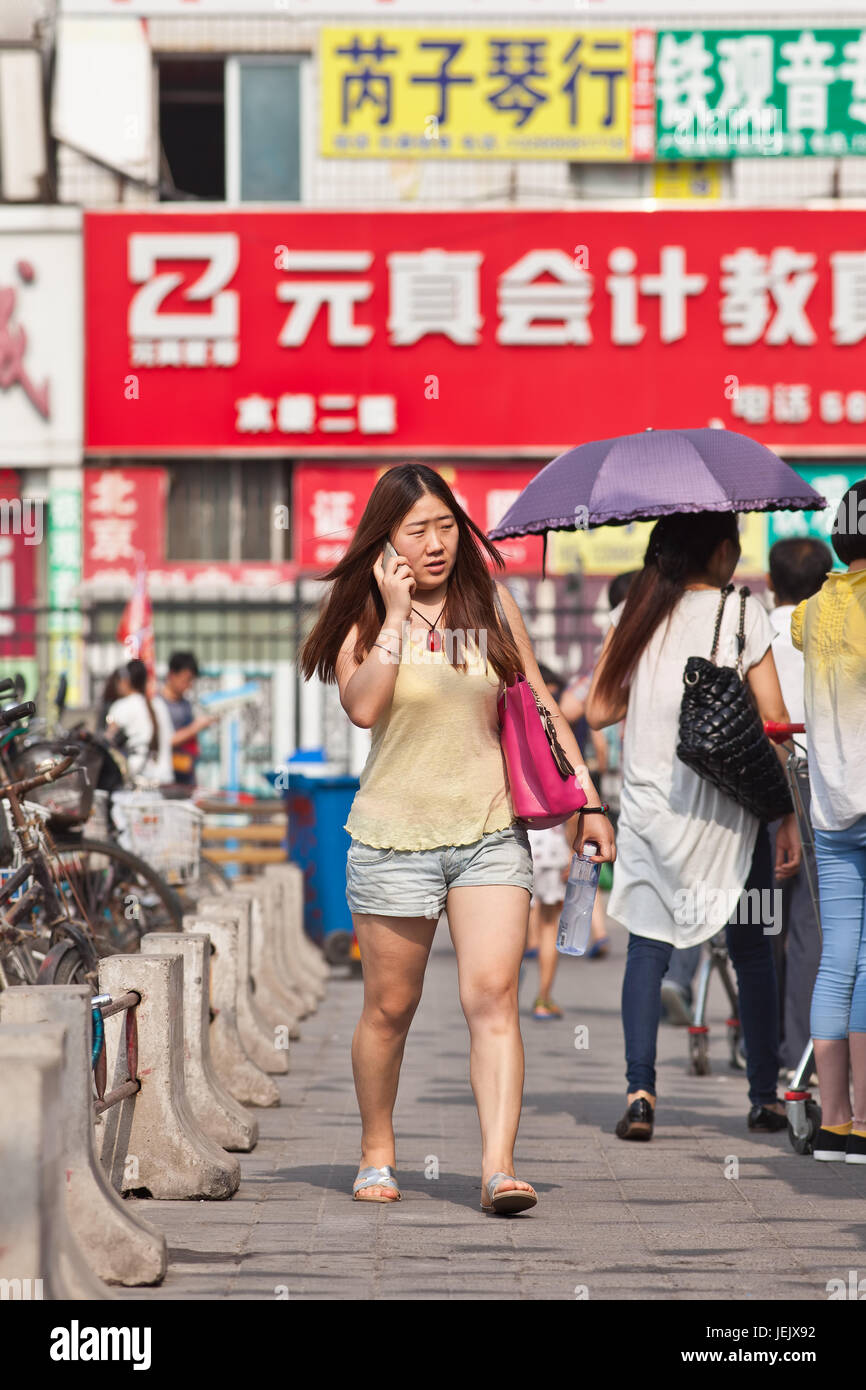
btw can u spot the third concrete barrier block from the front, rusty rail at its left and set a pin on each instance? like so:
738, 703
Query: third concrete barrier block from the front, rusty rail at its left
151, 1142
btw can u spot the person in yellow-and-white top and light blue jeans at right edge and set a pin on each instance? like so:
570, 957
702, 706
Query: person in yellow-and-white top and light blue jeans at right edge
831, 632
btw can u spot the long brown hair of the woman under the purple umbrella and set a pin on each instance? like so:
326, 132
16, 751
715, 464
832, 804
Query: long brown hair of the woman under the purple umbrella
679, 548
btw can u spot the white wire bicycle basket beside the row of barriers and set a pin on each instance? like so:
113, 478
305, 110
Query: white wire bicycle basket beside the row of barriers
165, 833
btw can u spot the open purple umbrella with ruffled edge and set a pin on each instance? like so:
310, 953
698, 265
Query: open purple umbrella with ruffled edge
651, 475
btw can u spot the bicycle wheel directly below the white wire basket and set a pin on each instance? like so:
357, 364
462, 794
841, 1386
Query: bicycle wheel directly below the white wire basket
120, 894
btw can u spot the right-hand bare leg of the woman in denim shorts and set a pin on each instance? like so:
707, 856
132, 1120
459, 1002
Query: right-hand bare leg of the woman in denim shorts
489, 929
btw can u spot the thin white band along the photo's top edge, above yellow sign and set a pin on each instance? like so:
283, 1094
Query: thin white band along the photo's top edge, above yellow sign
387, 10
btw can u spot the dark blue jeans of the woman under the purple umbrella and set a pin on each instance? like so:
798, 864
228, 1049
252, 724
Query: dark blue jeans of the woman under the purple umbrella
751, 954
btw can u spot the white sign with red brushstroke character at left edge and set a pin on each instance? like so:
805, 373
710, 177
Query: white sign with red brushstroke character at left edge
41, 337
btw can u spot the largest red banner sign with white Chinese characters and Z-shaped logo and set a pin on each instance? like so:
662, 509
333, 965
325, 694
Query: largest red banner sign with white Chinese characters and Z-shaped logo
500, 332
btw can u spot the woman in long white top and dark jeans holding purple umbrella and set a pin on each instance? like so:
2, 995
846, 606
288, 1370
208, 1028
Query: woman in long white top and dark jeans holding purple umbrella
683, 842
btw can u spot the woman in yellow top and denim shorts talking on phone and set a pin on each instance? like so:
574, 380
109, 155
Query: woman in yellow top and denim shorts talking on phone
414, 640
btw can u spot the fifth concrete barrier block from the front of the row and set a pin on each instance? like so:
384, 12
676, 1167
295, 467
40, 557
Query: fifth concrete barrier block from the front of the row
233, 1064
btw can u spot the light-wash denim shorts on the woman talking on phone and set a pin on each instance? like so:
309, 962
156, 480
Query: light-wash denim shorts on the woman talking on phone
415, 883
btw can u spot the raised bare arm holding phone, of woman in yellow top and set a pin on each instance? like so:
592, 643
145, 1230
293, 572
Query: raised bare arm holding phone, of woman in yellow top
366, 689
